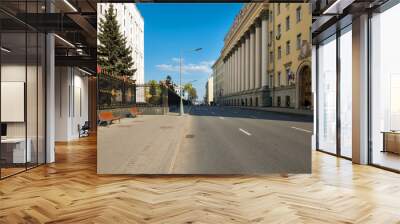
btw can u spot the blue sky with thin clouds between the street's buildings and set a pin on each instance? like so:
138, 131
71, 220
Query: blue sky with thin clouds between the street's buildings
171, 28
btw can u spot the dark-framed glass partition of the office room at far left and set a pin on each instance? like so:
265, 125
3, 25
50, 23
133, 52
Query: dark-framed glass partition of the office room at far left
22, 63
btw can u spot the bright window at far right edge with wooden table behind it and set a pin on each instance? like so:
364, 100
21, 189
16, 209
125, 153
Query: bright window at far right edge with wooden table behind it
385, 88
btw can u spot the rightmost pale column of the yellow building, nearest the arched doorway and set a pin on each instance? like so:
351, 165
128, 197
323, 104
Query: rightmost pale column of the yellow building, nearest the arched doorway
264, 50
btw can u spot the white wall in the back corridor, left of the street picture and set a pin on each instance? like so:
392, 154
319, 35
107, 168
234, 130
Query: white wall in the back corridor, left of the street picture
71, 93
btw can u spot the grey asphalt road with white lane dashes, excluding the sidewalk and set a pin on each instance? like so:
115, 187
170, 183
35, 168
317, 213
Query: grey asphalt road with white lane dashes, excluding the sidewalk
225, 140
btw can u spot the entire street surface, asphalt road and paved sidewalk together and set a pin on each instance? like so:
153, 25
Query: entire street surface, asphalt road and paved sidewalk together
207, 140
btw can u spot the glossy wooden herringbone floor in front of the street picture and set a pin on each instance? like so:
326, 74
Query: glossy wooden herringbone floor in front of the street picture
69, 191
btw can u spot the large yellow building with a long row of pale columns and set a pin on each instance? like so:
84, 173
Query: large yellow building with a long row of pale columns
267, 57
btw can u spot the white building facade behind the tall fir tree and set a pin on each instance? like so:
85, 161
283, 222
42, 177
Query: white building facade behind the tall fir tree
132, 27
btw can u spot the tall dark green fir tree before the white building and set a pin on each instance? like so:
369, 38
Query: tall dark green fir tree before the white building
114, 56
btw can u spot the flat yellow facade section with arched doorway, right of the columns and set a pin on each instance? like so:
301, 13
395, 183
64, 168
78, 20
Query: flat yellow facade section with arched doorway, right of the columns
289, 47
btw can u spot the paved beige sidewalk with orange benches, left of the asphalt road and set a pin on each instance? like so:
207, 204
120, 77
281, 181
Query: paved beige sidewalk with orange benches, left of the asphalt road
143, 145
